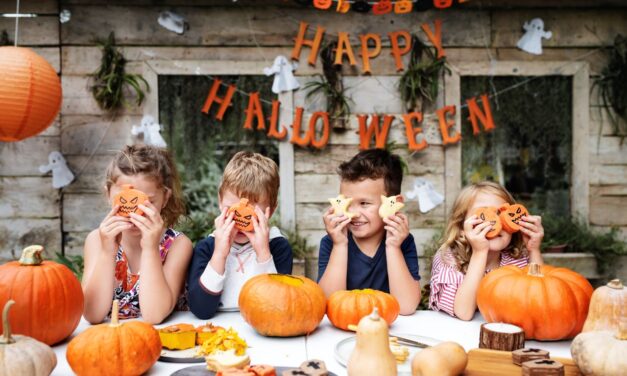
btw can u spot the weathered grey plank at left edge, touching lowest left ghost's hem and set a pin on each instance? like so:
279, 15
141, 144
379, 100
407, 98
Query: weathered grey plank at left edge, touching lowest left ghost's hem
28, 197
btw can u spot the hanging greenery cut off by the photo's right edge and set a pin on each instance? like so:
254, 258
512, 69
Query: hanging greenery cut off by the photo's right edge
613, 88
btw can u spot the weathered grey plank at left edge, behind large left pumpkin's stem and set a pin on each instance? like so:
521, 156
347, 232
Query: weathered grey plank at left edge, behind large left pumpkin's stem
18, 233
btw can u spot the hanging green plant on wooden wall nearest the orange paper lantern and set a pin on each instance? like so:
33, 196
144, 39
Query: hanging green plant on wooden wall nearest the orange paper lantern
111, 78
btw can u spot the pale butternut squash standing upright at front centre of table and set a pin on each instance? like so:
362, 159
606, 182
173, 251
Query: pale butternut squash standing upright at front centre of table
372, 354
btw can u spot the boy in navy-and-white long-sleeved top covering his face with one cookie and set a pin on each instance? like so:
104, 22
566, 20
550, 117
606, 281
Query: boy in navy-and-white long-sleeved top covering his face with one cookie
225, 260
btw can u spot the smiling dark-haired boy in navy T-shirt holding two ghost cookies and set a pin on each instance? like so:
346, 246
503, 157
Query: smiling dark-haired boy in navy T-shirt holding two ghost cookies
366, 251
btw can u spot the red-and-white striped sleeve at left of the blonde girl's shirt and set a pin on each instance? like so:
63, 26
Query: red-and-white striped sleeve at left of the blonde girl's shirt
445, 280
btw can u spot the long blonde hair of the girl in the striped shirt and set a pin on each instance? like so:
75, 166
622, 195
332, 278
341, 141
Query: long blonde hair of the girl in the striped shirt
454, 239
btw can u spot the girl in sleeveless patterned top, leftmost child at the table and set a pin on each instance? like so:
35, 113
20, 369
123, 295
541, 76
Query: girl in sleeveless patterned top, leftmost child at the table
123, 247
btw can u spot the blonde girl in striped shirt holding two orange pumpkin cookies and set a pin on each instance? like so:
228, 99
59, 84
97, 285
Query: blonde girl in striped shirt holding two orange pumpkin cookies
467, 255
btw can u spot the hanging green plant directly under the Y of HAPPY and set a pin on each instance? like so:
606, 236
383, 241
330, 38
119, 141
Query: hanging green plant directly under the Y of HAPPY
421, 80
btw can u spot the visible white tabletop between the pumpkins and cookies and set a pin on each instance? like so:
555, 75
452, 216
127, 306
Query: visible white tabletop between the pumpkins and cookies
293, 351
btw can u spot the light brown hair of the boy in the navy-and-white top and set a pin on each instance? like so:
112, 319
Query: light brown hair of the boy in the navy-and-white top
252, 176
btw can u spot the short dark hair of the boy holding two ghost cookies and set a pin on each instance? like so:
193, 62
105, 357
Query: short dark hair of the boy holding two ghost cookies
374, 164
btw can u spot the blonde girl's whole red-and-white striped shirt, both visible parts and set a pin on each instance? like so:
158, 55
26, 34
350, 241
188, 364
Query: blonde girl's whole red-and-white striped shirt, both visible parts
446, 279
